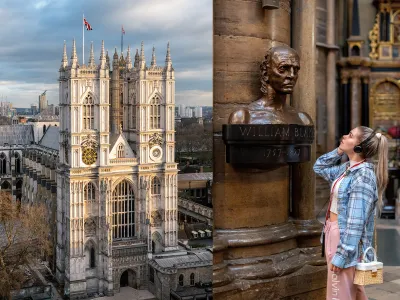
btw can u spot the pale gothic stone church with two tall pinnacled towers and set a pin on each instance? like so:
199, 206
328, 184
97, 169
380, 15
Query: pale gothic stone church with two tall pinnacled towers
108, 176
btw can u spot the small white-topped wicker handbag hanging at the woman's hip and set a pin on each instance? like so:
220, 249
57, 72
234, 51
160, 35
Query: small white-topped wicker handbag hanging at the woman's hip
368, 272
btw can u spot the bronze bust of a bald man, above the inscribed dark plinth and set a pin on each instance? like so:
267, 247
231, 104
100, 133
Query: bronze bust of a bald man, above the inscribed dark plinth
279, 73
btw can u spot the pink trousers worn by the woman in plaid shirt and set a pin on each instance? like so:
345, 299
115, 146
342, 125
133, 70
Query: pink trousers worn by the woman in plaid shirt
340, 285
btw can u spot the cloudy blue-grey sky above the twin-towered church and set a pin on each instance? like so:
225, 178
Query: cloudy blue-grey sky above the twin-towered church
33, 32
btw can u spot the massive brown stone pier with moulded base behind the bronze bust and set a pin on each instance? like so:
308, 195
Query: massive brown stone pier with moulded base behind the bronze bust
259, 252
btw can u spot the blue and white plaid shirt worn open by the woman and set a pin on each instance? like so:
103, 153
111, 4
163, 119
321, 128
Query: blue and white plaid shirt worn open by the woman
357, 198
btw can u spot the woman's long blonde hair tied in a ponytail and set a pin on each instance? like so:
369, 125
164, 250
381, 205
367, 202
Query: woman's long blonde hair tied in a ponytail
376, 146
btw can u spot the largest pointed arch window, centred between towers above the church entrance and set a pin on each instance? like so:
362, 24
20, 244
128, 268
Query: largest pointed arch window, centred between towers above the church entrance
123, 211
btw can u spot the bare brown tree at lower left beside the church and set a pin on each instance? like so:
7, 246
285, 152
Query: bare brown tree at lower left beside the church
24, 235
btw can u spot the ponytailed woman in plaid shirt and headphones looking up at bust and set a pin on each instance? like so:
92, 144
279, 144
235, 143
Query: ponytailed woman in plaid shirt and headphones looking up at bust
357, 187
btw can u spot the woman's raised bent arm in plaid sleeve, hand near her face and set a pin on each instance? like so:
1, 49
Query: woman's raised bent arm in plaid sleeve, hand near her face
326, 167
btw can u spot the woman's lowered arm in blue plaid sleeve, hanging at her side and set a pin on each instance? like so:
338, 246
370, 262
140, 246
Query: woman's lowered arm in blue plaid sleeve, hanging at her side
361, 203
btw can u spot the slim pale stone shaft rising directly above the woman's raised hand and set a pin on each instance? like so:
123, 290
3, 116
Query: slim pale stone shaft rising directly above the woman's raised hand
331, 75
